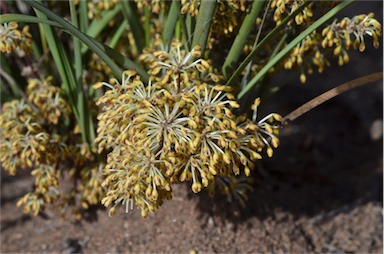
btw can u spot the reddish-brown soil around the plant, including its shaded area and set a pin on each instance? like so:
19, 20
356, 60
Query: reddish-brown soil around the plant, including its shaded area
321, 192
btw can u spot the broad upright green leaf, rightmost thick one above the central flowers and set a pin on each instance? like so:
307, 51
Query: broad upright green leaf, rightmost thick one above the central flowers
241, 38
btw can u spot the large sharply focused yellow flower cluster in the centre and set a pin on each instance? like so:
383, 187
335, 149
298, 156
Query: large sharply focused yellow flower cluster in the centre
178, 127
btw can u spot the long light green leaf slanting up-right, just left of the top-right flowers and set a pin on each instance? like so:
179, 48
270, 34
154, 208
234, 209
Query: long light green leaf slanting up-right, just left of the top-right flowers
293, 44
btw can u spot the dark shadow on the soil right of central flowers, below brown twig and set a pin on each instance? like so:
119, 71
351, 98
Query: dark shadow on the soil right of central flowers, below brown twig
326, 162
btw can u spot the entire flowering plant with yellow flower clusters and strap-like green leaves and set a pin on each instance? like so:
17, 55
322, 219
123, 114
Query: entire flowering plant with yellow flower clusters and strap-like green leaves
163, 82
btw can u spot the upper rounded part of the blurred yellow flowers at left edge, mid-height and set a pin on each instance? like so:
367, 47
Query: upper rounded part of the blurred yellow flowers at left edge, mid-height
24, 141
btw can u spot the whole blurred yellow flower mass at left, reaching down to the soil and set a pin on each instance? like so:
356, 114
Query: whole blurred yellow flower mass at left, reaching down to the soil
36, 134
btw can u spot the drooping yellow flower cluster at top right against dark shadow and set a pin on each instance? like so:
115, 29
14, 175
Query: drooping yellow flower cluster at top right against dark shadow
336, 38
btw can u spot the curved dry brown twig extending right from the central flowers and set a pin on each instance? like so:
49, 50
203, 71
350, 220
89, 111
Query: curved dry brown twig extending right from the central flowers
330, 94
